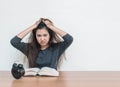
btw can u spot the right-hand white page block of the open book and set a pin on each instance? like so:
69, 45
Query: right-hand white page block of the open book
47, 71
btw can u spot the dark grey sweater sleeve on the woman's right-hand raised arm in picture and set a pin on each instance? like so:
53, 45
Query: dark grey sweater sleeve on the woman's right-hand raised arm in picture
68, 39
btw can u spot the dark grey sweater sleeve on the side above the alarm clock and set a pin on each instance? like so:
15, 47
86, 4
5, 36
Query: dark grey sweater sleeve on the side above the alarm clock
21, 46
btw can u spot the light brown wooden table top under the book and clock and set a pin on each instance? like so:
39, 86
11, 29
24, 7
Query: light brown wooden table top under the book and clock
66, 79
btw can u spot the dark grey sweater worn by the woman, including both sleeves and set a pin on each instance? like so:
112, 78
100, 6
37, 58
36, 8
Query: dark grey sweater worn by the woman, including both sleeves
48, 57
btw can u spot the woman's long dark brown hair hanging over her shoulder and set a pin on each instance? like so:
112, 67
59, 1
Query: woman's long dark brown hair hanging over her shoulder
34, 46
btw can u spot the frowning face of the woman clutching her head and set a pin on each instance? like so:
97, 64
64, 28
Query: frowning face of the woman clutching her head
43, 37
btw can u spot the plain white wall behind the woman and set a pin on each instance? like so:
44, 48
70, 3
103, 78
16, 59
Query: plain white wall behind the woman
94, 24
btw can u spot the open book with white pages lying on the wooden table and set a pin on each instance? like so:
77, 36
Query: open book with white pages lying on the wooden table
44, 71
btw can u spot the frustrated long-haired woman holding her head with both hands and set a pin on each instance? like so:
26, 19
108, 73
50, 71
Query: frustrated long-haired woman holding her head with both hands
45, 46
